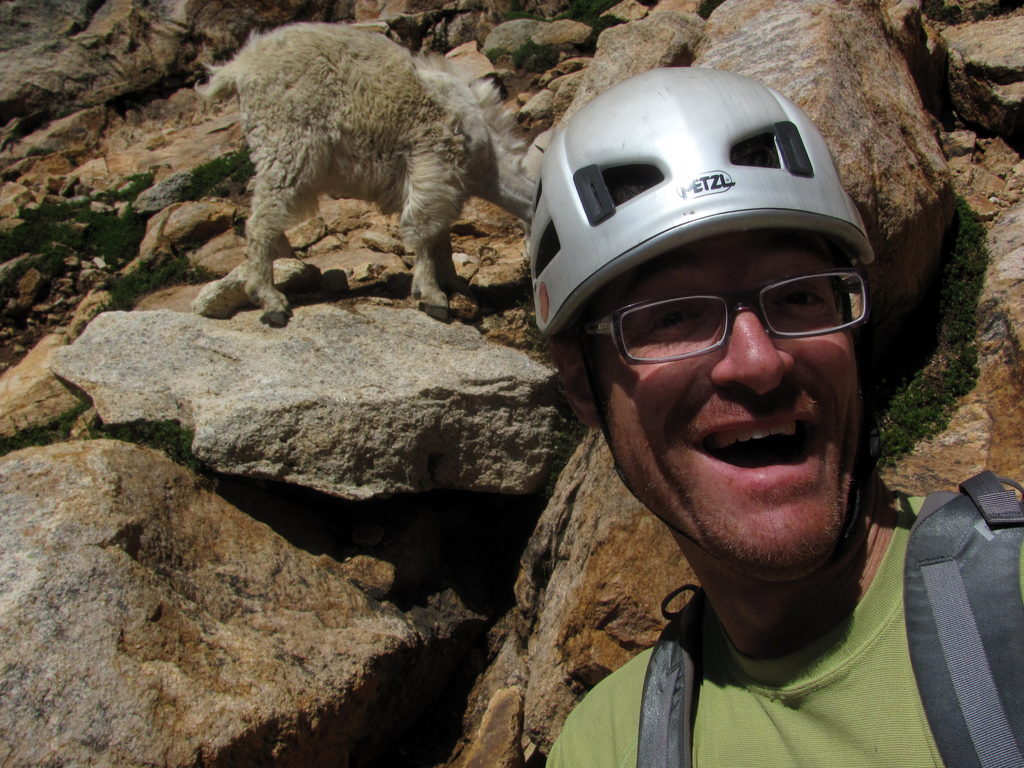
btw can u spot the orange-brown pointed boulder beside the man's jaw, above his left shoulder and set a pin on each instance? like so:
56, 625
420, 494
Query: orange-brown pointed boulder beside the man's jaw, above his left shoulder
591, 587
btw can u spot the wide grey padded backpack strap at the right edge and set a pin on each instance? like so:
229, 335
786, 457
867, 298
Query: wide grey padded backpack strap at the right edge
965, 623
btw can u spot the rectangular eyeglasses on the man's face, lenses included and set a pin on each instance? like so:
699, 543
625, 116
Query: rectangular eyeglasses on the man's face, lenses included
797, 308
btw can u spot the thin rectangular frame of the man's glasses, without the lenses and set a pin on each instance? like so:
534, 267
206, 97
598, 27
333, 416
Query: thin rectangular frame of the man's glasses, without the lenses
735, 303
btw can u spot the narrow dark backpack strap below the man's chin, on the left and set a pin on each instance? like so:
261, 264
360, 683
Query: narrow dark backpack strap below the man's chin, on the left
669, 693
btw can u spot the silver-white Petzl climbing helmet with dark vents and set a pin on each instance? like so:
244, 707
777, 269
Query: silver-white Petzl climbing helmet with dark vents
668, 158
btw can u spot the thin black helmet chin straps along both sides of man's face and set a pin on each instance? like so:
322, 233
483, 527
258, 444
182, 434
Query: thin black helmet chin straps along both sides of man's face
869, 443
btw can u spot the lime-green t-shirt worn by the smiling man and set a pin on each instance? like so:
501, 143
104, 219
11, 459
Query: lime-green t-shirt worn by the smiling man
849, 699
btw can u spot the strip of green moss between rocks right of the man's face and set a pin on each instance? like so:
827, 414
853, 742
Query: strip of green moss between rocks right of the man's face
923, 403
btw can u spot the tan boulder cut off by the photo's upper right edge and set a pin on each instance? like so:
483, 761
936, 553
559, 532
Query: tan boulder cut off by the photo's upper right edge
987, 73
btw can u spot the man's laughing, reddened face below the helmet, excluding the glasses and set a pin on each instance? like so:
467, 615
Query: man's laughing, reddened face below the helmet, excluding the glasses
748, 450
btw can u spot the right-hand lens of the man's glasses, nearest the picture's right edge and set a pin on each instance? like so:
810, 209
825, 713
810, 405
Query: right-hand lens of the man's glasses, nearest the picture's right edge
815, 304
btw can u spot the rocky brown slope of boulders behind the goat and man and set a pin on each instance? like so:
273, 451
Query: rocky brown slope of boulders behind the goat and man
360, 564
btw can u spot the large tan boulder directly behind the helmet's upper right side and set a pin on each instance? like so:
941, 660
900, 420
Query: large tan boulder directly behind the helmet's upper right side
849, 76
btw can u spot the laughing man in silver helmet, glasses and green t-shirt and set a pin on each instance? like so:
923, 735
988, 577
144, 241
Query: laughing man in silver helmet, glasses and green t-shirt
697, 269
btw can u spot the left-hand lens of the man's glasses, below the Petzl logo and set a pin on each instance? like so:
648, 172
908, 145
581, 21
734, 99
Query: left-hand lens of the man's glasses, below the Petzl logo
673, 328
